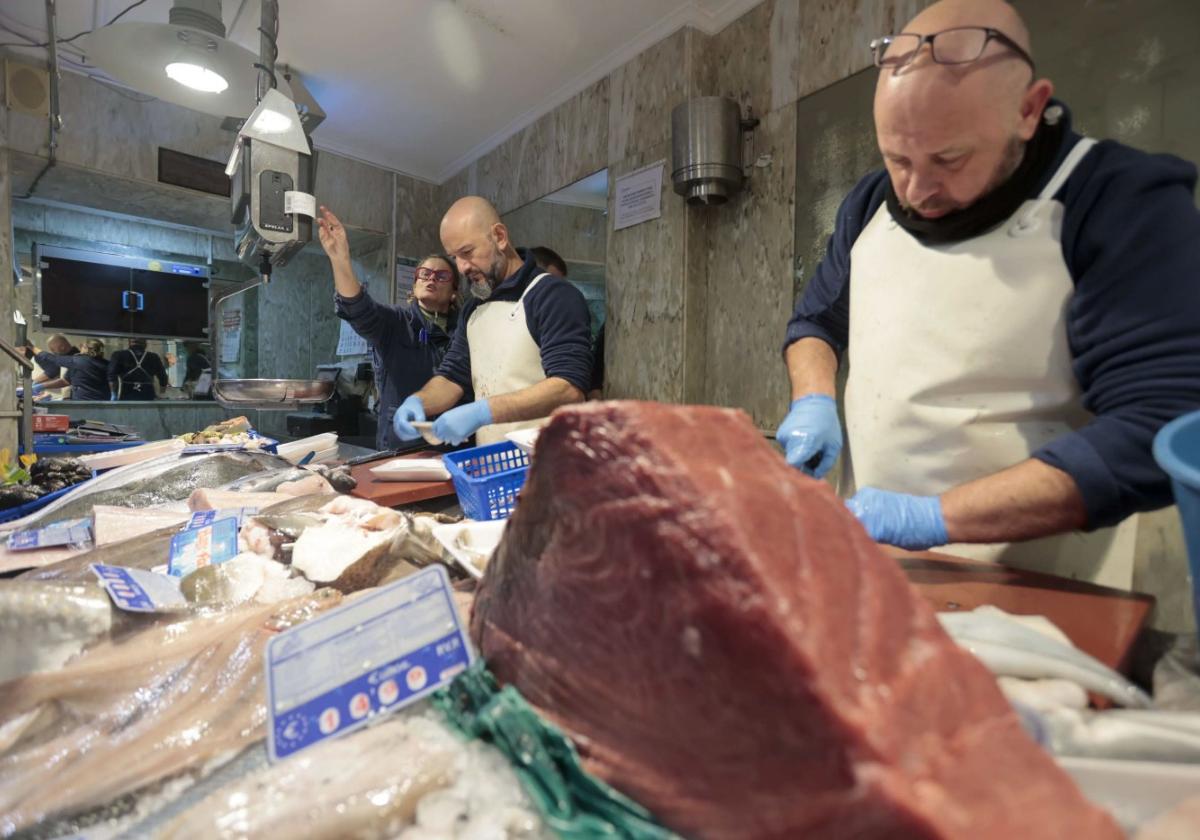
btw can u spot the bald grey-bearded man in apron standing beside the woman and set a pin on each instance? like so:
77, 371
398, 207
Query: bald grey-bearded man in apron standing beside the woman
523, 345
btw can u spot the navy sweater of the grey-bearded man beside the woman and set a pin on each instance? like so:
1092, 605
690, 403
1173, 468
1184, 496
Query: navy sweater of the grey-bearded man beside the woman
559, 321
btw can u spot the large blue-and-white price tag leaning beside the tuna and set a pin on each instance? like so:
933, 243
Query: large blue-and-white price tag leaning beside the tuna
381, 653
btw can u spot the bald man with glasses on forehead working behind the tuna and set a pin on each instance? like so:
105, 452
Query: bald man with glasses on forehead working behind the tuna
1021, 307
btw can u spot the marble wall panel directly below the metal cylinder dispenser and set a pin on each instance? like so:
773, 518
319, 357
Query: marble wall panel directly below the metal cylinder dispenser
749, 245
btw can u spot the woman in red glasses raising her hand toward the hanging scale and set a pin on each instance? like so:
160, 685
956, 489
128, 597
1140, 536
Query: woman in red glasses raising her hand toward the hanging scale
407, 341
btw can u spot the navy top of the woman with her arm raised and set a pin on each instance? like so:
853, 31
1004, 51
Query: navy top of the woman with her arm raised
405, 351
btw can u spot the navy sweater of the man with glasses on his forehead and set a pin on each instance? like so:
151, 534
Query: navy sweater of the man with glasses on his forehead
1131, 241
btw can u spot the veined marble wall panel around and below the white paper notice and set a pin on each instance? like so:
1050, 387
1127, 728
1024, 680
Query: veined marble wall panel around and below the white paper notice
645, 335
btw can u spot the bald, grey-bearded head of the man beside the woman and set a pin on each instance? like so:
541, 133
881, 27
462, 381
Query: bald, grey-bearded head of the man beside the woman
475, 237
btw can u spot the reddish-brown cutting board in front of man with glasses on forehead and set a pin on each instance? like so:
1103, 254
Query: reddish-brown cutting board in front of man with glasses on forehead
1100, 621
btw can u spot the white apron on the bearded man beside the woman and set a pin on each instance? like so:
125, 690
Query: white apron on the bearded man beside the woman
505, 358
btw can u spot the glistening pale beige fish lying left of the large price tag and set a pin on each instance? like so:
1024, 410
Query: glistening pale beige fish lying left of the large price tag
166, 701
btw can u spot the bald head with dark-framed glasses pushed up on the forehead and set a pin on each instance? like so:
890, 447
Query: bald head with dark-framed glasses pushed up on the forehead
951, 134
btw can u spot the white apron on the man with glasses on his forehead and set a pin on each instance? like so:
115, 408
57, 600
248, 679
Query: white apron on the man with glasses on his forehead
959, 368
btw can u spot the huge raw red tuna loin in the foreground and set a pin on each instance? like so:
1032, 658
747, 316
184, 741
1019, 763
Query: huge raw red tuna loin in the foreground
727, 646
